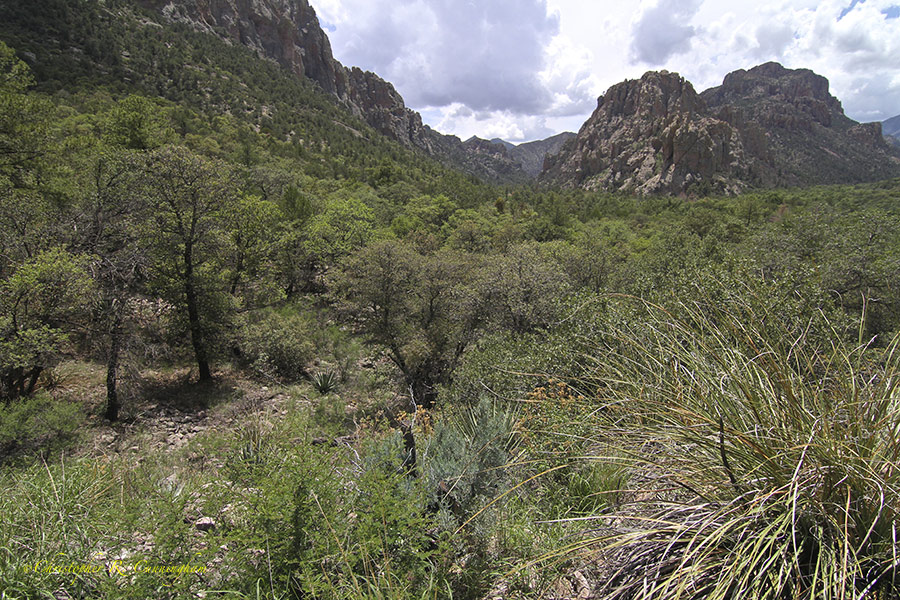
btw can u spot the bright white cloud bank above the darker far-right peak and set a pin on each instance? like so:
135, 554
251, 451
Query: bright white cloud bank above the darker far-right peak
858, 50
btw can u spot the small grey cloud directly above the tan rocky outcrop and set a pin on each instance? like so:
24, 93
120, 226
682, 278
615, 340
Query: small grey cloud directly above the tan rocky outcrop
663, 31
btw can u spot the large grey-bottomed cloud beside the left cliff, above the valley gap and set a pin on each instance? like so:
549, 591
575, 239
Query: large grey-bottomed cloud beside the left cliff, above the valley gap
485, 55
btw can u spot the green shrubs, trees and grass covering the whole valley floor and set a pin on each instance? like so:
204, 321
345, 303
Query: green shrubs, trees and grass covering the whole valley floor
420, 385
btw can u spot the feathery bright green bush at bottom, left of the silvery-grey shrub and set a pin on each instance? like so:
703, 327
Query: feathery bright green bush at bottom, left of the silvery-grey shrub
369, 538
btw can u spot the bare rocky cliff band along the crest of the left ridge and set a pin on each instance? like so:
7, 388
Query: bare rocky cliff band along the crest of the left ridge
288, 32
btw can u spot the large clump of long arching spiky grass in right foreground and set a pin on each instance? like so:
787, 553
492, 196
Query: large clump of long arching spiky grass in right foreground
770, 464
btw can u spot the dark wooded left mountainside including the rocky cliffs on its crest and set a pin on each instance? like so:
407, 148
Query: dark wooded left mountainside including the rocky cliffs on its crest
146, 46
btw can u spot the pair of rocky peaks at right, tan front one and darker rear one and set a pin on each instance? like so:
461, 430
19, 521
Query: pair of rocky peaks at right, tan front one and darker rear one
765, 127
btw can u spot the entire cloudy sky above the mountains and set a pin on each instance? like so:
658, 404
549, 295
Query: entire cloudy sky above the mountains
527, 69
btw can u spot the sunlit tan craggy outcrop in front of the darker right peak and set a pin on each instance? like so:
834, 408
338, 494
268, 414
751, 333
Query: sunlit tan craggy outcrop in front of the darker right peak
652, 135
